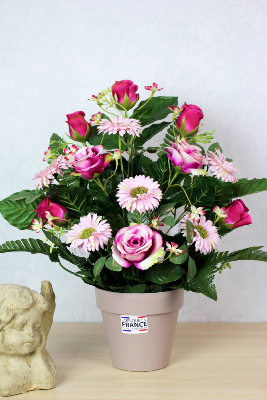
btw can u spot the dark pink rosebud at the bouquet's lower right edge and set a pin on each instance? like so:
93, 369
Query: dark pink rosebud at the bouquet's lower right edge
237, 214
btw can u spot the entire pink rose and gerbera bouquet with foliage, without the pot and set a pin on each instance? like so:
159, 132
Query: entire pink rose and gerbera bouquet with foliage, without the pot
130, 224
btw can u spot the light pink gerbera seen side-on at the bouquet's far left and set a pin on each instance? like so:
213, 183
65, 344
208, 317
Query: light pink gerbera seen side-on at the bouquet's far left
46, 176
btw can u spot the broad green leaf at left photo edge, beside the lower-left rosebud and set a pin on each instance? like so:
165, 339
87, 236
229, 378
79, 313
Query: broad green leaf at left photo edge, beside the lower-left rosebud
17, 212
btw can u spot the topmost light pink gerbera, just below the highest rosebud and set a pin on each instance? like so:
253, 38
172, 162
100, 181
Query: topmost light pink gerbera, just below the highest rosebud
120, 125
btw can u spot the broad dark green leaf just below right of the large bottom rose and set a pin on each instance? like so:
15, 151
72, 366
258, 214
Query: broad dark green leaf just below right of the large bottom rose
164, 273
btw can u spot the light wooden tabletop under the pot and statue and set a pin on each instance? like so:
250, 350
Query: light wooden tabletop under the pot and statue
211, 361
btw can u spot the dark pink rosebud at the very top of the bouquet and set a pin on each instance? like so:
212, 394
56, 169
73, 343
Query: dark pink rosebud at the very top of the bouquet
124, 93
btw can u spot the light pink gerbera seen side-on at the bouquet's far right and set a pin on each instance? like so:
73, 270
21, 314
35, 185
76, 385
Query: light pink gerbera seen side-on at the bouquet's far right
221, 168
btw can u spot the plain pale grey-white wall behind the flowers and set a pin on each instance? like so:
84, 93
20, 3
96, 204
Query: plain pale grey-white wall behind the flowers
56, 53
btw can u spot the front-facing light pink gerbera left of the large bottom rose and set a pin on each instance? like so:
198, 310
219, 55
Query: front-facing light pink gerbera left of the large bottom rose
89, 234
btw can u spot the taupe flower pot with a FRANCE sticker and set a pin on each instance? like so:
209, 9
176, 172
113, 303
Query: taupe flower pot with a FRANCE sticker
144, 343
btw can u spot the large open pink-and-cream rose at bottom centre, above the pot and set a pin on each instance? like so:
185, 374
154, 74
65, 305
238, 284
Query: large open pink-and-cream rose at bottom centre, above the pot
137, 245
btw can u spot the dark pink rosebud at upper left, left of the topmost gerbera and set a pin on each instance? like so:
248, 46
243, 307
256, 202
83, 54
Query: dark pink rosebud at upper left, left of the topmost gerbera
79, 129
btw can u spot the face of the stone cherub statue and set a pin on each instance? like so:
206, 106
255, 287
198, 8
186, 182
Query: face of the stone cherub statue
22, 335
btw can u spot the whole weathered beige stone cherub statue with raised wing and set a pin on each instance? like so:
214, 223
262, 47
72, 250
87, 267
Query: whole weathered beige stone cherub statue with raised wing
25, 321
